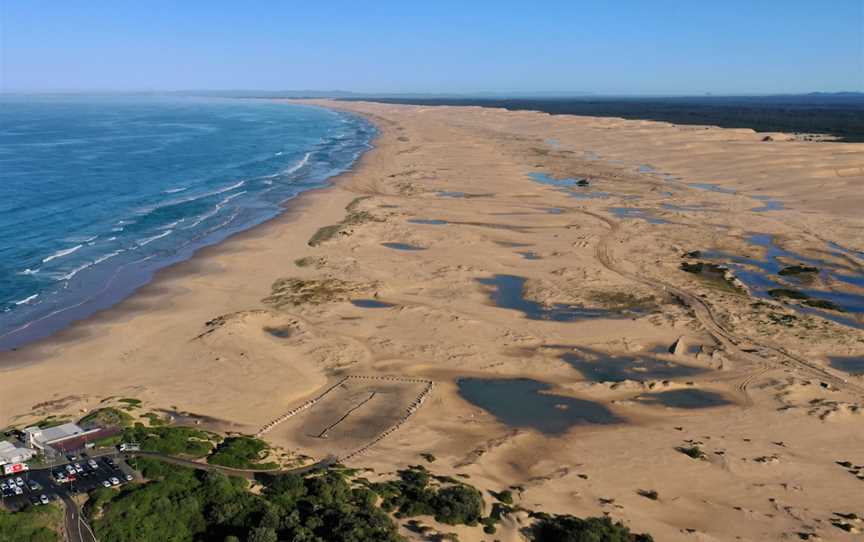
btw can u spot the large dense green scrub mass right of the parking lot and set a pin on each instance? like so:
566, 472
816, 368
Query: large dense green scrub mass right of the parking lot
182, 504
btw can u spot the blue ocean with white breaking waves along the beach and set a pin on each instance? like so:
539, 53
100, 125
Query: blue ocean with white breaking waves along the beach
97, 193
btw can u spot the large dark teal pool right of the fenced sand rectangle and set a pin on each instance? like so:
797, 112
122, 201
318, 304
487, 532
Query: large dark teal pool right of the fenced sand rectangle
521, 402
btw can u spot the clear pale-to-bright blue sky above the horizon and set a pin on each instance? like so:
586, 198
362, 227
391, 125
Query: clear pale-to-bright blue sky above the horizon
618, 47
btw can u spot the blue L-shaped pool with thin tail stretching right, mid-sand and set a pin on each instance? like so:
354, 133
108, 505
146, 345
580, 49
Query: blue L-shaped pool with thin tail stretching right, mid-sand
509, 293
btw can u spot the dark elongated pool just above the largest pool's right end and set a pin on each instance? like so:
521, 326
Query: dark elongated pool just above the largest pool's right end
603, 367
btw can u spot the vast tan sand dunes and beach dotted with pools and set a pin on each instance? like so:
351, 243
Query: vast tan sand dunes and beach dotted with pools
661, 323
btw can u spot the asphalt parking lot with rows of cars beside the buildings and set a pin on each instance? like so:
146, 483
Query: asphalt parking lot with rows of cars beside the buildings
66, 478
